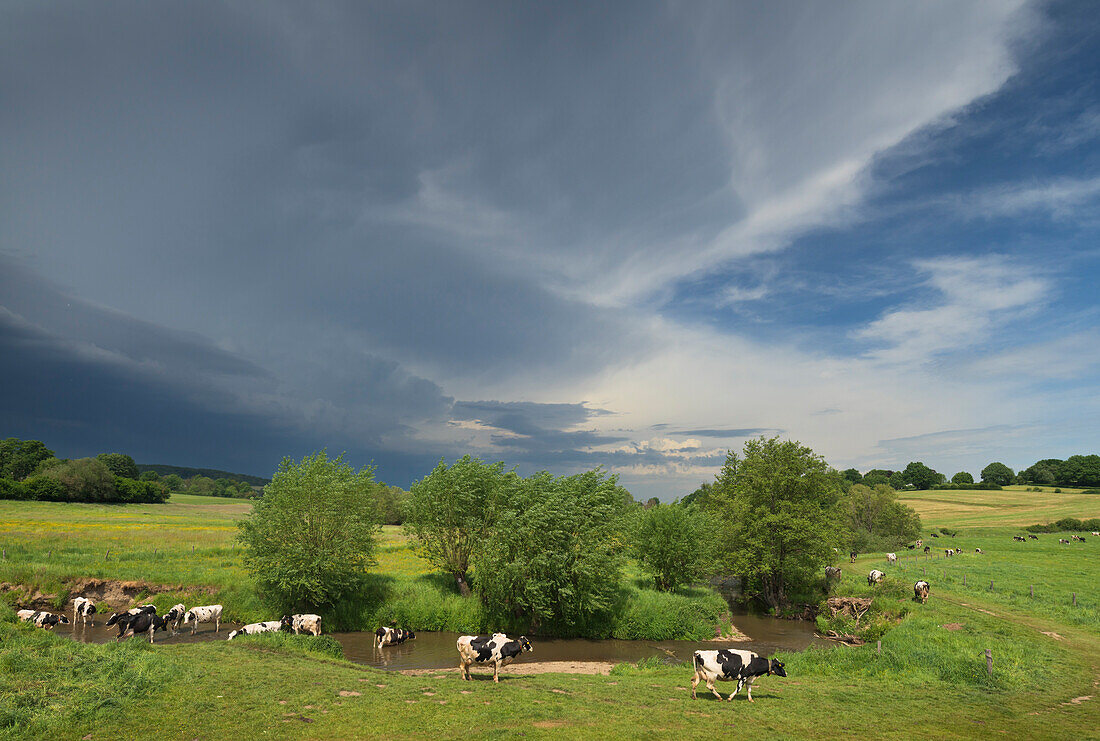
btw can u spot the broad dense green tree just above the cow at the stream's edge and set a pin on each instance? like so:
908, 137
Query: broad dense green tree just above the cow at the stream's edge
553, 562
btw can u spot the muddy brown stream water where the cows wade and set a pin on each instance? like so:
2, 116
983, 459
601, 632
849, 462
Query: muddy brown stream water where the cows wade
436, 650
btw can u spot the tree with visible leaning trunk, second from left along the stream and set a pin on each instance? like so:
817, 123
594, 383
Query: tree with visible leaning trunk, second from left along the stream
450, 513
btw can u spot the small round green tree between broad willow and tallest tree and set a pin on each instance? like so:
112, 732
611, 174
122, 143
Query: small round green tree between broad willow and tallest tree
675, 544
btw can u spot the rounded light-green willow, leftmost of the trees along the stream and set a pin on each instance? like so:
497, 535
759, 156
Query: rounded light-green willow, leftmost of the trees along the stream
312, 537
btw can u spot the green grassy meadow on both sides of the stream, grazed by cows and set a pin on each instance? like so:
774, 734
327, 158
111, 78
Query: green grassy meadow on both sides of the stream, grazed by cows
929, 680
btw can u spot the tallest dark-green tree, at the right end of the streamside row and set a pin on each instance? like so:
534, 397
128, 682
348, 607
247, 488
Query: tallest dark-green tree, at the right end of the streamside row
780, 506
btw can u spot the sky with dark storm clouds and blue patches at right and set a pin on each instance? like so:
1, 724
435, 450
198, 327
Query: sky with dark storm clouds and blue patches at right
562, 236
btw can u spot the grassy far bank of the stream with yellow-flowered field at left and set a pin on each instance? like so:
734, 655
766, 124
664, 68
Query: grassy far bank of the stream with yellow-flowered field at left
191, 543
